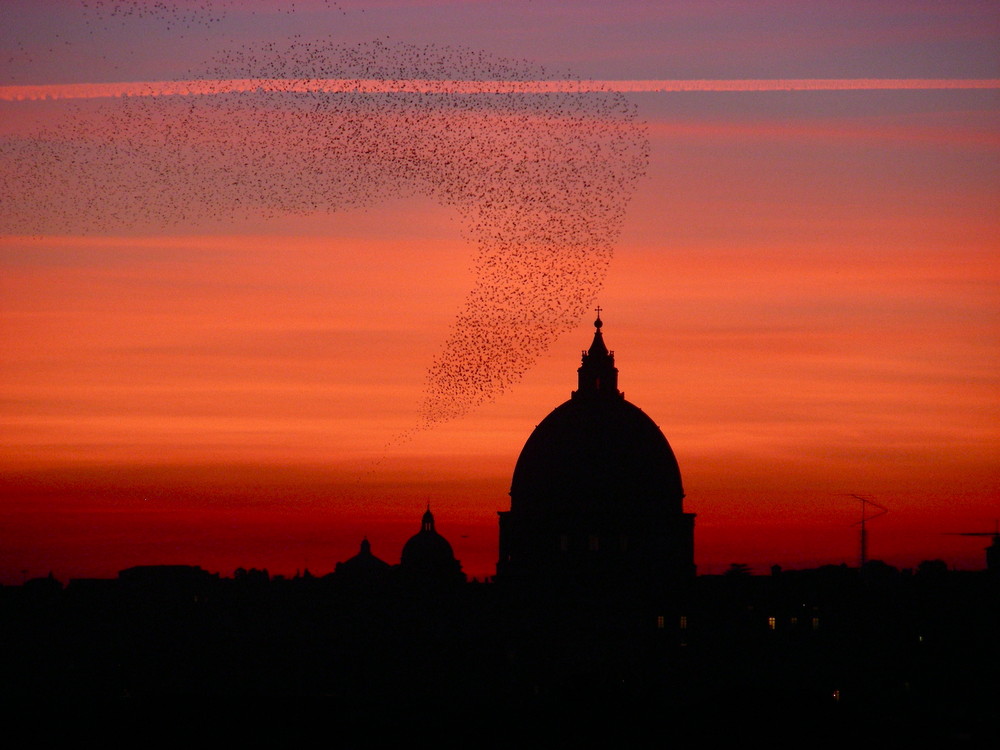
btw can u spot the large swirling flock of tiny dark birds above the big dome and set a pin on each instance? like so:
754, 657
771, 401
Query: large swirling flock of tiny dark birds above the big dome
539, 181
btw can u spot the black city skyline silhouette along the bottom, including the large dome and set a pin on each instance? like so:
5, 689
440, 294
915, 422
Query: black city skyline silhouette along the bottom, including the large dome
595, 629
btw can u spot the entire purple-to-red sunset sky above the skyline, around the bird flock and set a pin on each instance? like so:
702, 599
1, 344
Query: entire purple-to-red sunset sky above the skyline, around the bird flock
803, 293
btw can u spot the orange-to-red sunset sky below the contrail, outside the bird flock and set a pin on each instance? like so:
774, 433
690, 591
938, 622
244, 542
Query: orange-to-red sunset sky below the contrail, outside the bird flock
804, 297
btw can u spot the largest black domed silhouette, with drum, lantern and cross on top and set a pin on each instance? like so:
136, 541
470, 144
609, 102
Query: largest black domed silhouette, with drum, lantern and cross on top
596, 496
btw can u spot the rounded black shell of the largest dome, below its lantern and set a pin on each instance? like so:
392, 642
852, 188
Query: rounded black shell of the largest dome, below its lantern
596, 451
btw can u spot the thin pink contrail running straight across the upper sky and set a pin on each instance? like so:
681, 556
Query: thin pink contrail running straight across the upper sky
426, 86
